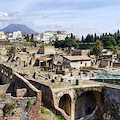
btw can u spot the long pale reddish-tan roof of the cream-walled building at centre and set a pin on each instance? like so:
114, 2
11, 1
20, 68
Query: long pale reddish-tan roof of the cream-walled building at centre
77, 58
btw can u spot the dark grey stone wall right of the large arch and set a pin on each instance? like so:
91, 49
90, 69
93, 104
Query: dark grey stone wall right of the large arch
112, 103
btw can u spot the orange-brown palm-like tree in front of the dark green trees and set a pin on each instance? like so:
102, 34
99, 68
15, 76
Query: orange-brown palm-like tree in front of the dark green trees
97, 49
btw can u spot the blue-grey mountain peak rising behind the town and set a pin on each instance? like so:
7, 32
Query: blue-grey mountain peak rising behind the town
15, 27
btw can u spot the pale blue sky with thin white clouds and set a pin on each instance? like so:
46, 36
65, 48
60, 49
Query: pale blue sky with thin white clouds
79, 17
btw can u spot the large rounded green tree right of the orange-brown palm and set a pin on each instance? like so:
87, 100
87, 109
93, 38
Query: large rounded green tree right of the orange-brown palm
109, 42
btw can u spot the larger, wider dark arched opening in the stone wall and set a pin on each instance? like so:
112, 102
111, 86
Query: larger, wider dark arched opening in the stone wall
86, 103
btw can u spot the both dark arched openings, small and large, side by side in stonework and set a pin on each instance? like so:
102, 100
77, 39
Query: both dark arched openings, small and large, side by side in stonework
85, 104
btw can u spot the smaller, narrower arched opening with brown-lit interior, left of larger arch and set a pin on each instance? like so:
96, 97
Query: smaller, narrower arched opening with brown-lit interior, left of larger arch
65, 103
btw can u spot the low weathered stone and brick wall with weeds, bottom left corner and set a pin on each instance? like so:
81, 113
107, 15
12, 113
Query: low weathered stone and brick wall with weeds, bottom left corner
21, 112
